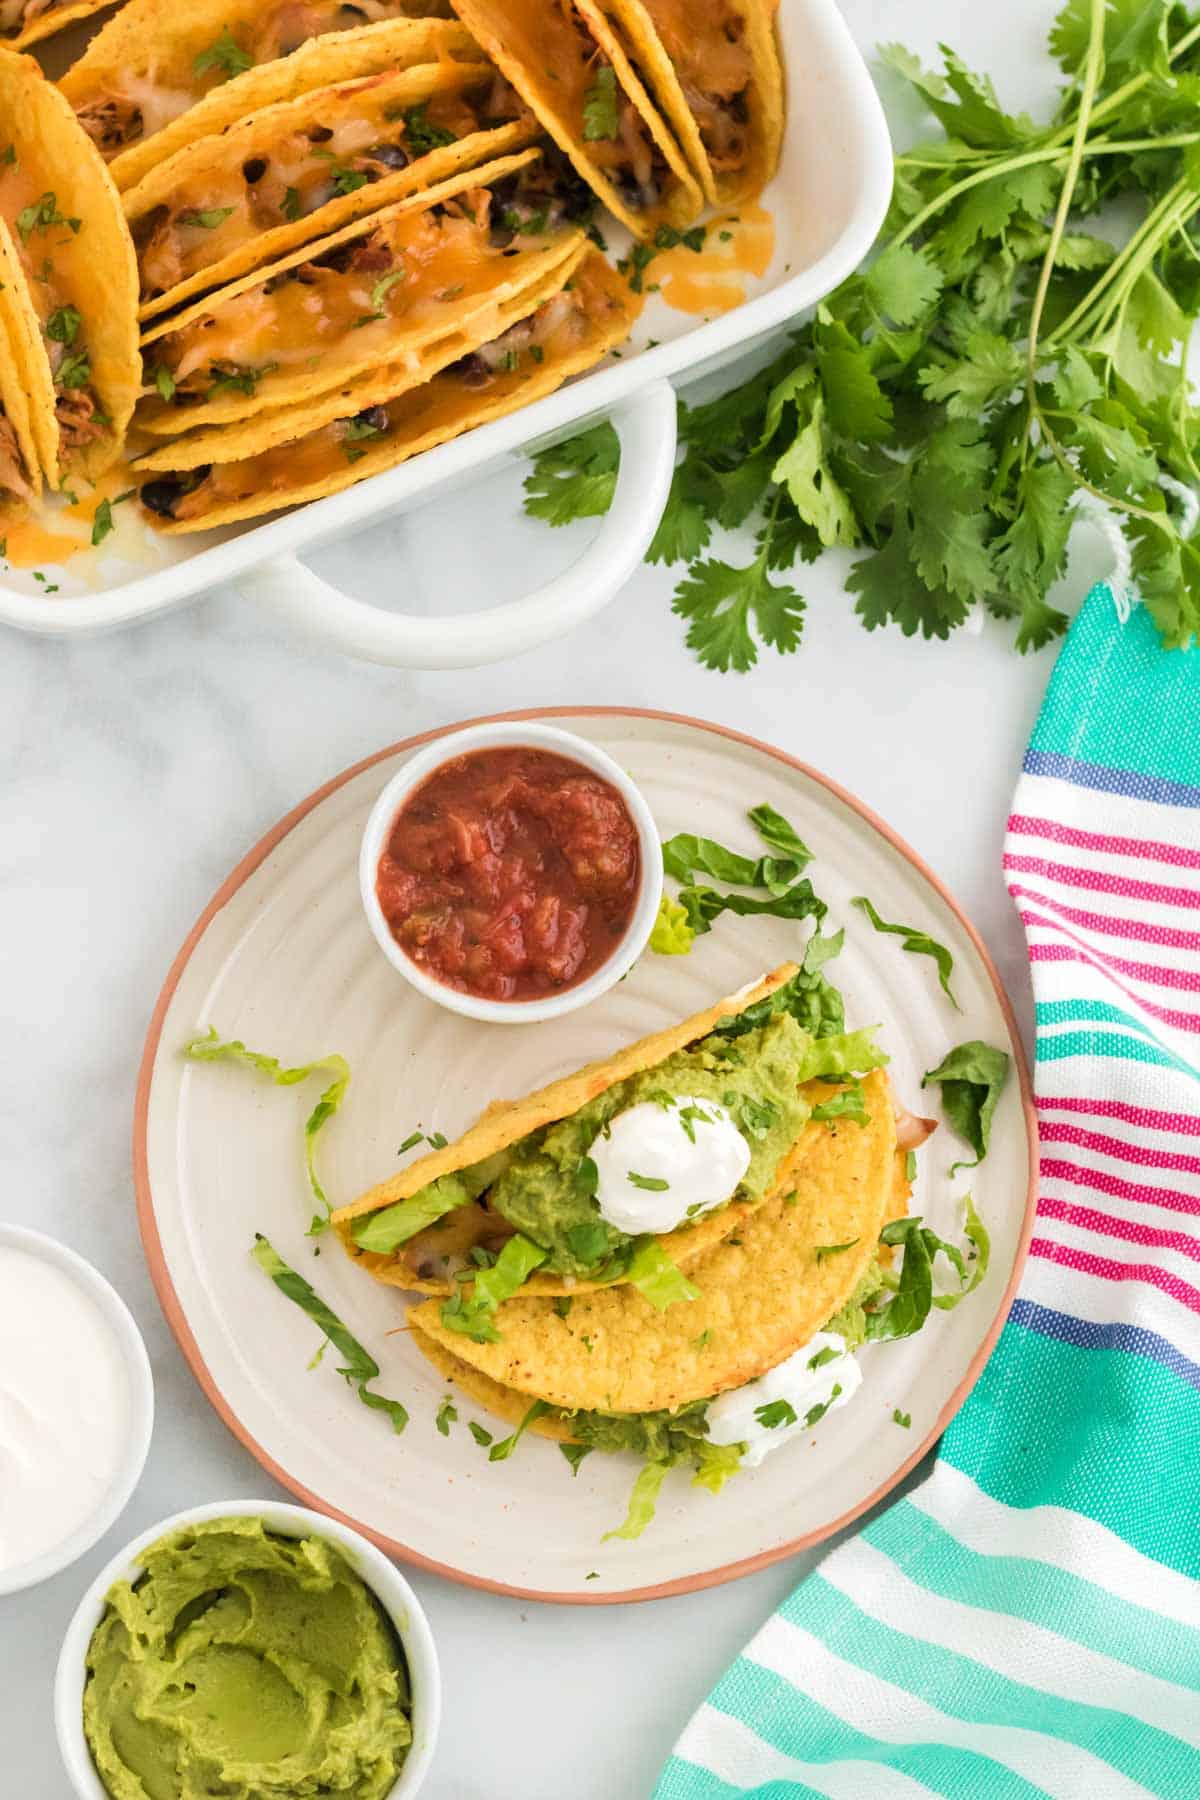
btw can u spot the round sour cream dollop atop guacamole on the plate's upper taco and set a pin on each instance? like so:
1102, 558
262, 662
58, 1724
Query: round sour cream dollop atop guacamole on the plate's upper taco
663, 1165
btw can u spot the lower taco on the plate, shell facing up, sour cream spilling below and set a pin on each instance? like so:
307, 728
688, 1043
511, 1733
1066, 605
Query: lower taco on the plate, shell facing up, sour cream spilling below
760, 1356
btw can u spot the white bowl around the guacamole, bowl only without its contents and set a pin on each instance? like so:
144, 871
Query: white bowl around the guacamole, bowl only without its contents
384, 1579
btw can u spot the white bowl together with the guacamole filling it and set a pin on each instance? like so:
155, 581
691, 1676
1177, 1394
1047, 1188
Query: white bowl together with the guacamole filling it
253, 1650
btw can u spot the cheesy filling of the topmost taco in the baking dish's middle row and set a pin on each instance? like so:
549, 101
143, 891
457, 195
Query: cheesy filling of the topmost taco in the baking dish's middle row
127, 105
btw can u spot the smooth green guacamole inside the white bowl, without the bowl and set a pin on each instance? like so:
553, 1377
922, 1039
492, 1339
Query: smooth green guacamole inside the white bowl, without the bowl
247, 1666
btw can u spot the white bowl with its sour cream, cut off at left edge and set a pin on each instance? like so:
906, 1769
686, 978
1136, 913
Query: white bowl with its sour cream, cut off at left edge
76, 1407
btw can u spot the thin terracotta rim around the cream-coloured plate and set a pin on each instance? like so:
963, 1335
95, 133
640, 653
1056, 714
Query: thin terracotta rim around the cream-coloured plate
177, 1318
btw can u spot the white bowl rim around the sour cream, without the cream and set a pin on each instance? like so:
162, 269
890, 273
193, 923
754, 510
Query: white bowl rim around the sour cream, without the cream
141, 1414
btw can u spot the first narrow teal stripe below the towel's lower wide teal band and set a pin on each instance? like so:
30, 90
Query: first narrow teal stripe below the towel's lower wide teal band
1039, 1594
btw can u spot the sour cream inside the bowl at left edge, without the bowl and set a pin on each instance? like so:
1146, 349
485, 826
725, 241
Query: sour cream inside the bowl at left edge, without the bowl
66, 1407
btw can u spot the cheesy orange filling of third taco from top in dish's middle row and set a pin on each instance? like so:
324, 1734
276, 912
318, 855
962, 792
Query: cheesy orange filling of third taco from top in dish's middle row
384, 289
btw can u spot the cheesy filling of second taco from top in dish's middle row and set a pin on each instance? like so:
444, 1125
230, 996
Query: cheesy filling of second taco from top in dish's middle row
350, 143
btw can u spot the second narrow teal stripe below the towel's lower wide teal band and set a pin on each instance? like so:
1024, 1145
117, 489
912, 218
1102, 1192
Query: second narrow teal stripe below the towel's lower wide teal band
976, 1695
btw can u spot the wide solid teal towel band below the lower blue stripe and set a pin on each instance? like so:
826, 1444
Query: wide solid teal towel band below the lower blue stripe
1111, 1435
